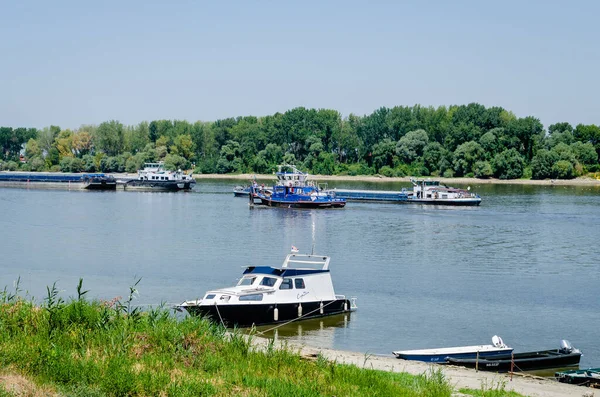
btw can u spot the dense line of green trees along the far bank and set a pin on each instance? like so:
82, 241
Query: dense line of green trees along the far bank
462, 140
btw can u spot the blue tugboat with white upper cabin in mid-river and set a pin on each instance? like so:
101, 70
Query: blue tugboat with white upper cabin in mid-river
294, 190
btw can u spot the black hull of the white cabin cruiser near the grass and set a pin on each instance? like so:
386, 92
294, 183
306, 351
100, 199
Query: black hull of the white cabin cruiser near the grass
247, 315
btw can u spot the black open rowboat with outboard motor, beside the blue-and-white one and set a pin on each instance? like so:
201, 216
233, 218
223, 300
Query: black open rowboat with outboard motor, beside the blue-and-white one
565, 356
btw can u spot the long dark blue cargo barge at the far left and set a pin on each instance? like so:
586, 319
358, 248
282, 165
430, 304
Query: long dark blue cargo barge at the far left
90, 181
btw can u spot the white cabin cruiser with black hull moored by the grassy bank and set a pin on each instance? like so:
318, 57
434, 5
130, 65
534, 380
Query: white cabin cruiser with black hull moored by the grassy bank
300, 289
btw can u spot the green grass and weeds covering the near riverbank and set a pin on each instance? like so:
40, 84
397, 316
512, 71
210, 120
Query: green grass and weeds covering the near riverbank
95, 348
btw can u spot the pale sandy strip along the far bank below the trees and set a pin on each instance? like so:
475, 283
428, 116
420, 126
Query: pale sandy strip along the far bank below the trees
582, 181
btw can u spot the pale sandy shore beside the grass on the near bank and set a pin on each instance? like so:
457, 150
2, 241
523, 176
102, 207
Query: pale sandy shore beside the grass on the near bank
459, 377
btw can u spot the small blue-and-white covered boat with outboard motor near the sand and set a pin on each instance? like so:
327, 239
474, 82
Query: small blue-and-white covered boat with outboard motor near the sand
440, 355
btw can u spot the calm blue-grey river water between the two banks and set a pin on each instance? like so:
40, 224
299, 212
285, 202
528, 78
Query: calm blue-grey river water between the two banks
524, 265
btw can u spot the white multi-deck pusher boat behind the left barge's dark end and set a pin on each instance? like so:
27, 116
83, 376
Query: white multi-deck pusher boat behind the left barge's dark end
154, 177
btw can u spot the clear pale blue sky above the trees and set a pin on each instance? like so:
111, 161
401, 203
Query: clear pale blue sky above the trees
70, 63
